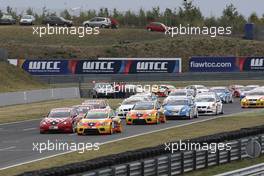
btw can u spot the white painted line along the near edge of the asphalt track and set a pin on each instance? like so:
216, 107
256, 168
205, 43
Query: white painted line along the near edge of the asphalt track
116, 140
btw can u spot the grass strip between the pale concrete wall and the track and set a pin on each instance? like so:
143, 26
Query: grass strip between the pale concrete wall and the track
38, 110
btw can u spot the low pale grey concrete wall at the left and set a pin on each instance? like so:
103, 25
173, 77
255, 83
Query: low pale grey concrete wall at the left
22, 97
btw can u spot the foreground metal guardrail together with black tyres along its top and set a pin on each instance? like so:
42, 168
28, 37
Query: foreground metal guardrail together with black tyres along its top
158, 161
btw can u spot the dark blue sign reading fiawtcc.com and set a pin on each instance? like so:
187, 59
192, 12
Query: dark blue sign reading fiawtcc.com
214, 64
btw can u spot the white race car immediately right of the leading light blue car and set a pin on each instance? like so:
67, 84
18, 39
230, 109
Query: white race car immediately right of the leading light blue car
209, 104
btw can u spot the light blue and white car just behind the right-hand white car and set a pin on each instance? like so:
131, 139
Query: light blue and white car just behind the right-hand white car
224, 94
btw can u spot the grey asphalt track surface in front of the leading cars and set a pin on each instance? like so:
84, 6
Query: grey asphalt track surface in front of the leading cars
16, 145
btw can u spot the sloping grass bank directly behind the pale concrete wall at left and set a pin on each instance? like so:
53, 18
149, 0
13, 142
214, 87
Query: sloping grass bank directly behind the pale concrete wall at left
15, 79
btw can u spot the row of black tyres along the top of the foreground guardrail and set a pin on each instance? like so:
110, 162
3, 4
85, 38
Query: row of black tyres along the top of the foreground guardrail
140, 154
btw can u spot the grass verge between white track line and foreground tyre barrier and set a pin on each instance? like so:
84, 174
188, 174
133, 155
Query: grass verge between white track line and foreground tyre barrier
227, 123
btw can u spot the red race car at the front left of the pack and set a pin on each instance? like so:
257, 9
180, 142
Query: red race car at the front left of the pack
59, 120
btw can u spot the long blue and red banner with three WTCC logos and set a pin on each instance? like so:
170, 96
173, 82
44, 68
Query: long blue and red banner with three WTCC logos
102, 66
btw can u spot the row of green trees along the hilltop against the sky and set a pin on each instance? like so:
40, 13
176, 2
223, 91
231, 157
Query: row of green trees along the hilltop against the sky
185, 14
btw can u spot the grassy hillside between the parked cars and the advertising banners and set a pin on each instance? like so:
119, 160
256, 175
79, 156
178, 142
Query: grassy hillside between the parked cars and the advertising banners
123, 43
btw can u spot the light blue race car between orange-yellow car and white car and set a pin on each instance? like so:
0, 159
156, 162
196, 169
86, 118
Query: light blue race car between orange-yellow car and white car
180, 107
